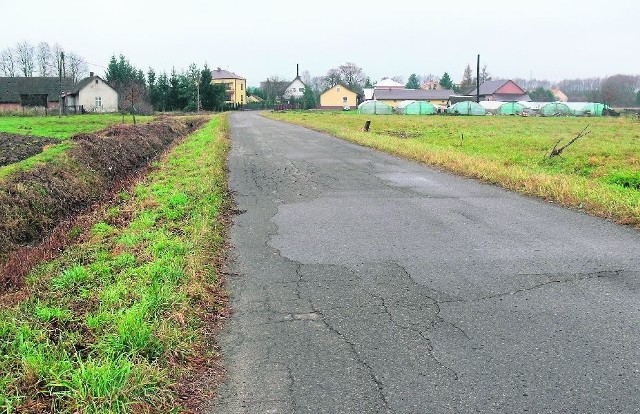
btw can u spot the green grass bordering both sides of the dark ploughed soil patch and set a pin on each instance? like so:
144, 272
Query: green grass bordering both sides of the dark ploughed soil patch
60, 128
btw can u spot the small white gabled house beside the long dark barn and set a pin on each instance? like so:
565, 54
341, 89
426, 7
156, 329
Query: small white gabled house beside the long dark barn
92, 94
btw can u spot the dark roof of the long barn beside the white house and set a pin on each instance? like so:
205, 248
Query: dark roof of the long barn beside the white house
12, 87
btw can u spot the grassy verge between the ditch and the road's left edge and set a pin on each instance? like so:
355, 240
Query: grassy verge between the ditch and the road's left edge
116, 323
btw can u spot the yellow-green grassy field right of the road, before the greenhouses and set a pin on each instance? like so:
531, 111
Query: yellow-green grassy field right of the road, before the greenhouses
599, 173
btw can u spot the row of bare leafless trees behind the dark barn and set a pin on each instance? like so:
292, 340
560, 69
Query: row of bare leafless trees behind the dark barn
28, 60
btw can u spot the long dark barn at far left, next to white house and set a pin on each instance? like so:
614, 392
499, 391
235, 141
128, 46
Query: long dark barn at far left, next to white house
17, 93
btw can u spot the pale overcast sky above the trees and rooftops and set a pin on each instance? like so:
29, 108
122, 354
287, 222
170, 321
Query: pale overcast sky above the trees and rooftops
542, 39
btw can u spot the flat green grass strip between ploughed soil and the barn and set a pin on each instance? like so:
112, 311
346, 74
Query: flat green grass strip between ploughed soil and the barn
62, 127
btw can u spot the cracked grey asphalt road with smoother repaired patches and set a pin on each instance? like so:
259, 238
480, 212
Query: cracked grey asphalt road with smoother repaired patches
363, 283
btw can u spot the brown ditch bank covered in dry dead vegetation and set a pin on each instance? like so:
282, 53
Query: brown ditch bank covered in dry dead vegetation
33, 202
